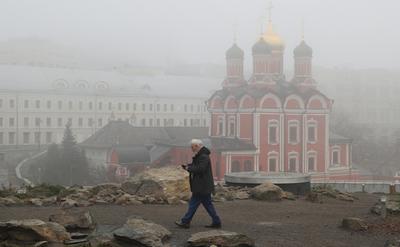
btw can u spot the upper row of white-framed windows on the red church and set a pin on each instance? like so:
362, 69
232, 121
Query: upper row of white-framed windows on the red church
273, 131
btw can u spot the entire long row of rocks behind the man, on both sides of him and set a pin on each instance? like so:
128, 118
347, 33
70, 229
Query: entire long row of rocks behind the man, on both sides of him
167, 185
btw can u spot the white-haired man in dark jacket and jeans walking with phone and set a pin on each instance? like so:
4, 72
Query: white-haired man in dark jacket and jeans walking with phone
201, 184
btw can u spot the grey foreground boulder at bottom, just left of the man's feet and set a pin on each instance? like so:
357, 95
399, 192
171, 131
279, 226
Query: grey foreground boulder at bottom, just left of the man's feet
142, 232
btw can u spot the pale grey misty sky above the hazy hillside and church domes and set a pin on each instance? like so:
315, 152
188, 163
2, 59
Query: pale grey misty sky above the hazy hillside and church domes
344, 33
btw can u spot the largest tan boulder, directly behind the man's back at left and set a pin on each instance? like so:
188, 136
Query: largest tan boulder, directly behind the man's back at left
159, 183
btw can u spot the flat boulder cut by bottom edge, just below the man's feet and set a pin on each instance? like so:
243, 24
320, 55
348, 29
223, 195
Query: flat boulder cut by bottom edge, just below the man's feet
220, 238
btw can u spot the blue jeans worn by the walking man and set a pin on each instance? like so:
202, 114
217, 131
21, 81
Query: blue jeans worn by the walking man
195, 202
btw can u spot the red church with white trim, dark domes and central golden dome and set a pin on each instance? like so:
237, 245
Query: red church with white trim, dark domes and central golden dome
273, 124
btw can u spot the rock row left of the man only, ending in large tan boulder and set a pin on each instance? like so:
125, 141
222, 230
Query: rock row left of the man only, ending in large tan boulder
154, 186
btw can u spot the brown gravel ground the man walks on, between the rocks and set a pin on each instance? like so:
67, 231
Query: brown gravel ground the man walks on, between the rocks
286, 223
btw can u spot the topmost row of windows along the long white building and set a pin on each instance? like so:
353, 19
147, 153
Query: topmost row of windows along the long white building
60, 105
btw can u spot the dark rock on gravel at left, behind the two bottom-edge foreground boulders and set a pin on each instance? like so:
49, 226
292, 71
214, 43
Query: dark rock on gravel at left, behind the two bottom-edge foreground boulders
73, 220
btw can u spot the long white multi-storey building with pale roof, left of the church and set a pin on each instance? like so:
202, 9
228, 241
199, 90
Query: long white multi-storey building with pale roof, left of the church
36, 103
